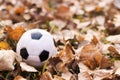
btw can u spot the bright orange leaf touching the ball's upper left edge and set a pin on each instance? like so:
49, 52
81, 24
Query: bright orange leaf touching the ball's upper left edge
16, 33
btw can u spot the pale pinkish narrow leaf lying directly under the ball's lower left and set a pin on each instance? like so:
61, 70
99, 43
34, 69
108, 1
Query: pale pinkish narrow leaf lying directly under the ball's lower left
26, 67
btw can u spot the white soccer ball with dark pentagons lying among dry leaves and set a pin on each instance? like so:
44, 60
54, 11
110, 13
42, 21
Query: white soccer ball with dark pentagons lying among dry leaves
36, 46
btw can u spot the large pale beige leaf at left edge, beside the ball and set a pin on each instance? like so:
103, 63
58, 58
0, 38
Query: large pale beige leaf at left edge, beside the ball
7, 58
